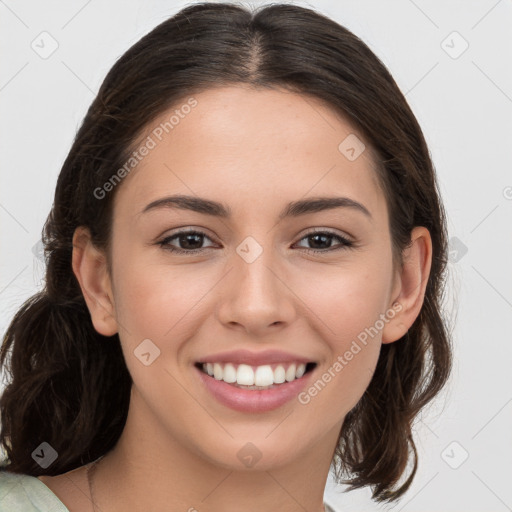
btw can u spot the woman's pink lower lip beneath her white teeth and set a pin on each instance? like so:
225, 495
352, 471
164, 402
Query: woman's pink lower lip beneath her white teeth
246, 400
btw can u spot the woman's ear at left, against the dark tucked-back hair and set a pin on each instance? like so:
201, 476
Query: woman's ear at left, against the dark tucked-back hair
90, 268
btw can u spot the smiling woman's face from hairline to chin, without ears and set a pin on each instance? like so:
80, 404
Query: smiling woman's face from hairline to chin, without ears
251, 279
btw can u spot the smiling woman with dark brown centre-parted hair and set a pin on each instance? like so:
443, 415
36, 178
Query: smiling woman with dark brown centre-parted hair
245, 261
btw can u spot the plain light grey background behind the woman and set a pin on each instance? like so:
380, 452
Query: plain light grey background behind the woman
463, 101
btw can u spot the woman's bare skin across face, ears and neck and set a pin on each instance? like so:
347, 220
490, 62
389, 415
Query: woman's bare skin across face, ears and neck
255, 151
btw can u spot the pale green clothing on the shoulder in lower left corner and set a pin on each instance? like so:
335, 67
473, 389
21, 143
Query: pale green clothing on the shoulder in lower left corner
26, 493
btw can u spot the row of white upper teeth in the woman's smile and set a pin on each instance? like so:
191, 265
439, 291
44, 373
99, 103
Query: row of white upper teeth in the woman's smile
260, 376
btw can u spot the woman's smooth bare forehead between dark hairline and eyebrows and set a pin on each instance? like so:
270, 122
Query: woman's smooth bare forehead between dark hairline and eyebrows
251, 146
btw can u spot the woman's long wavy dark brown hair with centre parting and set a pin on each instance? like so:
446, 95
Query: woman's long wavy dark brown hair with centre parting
65, 376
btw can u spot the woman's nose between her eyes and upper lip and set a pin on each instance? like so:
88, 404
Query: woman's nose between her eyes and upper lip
255, 296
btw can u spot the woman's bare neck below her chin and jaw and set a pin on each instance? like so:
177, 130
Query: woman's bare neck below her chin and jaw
149, 469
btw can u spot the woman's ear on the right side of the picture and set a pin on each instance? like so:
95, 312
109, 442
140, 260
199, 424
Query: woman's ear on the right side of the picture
410, 286
